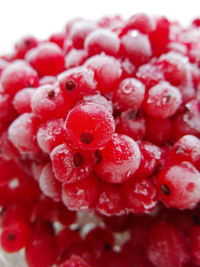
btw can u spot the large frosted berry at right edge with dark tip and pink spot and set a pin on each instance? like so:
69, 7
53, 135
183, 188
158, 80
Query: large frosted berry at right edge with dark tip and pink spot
179, 185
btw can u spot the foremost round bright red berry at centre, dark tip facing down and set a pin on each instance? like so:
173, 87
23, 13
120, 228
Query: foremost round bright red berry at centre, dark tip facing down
94, 129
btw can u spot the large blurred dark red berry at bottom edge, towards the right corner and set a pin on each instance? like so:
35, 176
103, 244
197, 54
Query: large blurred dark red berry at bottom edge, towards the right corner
173, 251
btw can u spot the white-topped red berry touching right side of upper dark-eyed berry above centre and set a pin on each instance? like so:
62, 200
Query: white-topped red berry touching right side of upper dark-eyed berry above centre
107, 72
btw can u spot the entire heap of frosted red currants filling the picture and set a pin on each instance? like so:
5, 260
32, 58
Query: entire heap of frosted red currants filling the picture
100, 145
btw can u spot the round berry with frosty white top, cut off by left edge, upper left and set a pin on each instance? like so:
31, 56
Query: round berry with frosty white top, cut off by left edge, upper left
18, 75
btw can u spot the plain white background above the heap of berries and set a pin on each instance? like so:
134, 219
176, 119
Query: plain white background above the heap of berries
43, 17
